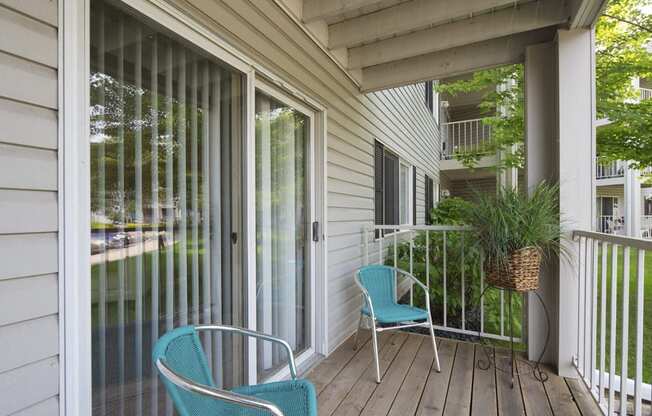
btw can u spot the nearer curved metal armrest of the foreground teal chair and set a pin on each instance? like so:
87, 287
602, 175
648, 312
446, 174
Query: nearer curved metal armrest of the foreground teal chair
224, 395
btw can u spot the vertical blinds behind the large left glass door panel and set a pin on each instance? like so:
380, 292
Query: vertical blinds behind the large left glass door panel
164, 117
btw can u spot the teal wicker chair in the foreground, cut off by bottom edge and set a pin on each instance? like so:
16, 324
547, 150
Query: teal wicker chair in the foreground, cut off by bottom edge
182, 364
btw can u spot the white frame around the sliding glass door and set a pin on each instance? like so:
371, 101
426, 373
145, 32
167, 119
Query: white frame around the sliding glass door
74, 184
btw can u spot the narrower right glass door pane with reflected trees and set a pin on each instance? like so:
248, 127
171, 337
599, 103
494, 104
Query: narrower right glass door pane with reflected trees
283, 216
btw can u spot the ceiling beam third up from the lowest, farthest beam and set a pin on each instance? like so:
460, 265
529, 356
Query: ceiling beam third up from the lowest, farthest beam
404, 18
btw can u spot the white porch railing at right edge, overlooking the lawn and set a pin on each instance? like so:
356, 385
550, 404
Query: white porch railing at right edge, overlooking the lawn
609, 353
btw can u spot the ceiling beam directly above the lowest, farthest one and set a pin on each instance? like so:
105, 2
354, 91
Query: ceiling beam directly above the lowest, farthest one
505, 22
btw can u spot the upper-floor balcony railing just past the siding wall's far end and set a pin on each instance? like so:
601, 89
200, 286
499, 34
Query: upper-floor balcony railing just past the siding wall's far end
465, 137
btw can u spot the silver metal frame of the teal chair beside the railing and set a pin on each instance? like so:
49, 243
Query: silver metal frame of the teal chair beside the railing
374, 324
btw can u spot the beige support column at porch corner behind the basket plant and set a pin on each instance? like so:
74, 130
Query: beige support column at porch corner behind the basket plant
560, 148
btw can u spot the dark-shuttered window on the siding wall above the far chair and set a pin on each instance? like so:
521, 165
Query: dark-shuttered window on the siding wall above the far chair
392, 188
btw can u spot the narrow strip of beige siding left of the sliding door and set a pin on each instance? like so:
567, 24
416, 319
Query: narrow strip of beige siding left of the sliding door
29, 325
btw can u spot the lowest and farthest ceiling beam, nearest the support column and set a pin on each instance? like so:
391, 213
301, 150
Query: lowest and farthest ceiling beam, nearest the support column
455, 61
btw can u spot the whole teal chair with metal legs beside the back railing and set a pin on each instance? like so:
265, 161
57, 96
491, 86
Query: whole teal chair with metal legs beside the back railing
378, 285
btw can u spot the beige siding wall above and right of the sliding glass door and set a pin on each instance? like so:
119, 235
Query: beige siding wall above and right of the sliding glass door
398, 118
